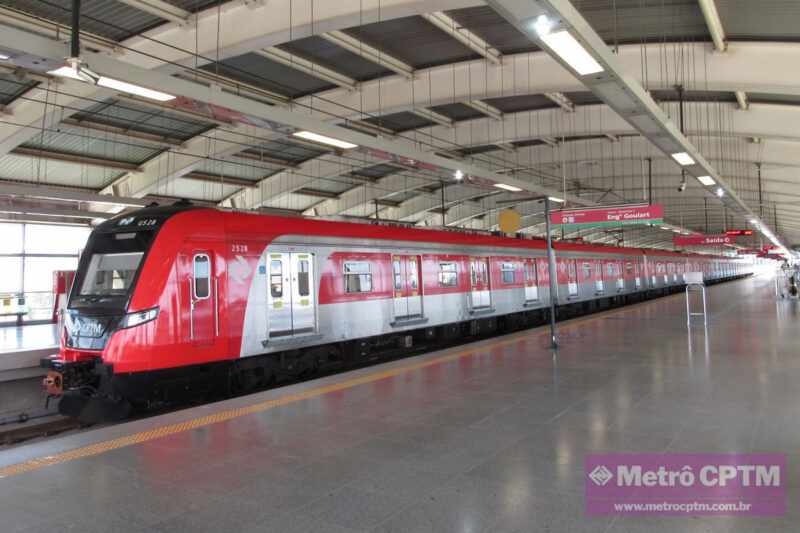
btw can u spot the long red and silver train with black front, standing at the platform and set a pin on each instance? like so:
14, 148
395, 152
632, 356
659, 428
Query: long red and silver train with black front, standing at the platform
174, 300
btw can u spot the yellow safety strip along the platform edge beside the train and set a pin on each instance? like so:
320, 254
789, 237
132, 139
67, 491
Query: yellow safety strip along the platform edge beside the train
163, 431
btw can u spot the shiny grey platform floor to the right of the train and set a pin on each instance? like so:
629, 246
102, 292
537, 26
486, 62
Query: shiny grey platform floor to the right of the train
486, 437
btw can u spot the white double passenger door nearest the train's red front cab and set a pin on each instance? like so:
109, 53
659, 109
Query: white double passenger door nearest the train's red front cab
291, 294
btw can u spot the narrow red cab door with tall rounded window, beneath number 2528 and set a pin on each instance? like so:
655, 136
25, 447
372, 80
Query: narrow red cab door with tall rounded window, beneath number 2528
203, 299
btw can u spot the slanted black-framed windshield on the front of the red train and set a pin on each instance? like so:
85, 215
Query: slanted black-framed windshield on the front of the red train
108, 269
